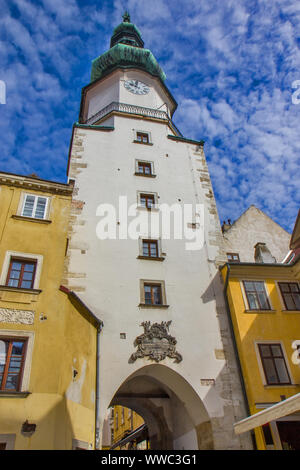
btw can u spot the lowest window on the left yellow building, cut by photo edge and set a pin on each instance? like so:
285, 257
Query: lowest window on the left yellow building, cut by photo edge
12, 357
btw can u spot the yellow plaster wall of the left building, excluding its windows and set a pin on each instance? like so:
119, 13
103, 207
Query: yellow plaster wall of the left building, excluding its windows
61, 340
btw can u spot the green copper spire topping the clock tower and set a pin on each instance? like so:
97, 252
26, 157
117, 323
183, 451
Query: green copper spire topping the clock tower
126, 51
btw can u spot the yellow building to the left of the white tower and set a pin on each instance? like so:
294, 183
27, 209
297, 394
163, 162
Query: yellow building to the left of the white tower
48, 337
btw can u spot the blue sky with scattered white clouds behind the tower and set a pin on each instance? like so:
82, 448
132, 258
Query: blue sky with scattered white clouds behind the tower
230, 66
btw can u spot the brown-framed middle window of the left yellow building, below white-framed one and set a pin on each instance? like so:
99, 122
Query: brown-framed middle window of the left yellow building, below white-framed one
21, 273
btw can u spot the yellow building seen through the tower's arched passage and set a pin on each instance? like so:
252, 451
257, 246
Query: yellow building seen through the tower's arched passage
129, 430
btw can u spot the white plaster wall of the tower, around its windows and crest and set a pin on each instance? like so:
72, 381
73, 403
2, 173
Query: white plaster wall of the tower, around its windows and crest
107, 273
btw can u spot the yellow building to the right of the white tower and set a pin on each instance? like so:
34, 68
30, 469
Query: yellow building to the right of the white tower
263, 301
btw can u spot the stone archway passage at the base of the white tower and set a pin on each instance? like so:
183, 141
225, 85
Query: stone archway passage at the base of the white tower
175, 415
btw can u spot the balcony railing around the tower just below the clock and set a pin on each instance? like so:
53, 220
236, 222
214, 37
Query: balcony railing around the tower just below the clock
131, 109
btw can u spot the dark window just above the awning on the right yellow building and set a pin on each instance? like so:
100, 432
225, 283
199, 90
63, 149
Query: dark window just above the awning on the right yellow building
274, 365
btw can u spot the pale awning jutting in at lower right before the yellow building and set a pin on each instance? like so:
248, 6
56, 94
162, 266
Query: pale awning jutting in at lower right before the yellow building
281, 409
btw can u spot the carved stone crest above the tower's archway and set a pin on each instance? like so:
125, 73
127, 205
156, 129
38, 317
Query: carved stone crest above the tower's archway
156, 343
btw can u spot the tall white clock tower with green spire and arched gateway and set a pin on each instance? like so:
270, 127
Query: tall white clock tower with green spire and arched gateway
165, 349
